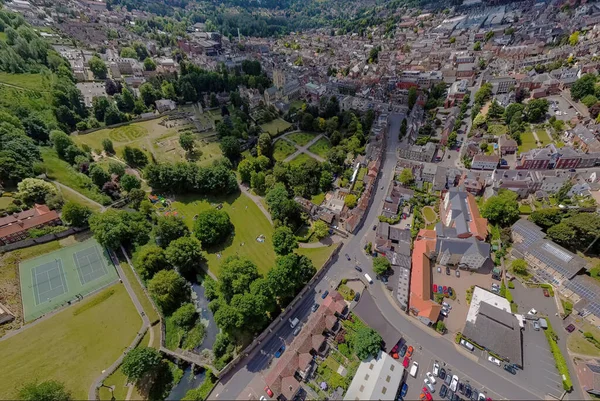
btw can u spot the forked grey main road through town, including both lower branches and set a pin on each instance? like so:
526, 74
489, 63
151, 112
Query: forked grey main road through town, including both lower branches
232, 385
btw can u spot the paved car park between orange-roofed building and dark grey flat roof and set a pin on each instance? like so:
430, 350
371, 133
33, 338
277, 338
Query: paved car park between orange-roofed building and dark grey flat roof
458, 314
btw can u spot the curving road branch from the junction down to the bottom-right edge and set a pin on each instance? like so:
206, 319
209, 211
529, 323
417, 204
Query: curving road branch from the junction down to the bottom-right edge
444, 350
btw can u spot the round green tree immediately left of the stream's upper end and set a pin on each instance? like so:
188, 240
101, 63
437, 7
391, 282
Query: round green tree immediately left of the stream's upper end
169, 290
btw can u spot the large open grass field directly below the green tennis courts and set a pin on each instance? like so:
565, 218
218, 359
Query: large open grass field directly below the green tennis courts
73, 347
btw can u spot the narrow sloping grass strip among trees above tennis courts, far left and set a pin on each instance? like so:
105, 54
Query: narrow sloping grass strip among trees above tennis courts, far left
62, 172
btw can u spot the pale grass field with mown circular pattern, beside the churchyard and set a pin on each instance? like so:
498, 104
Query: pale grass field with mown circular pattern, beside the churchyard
154, 137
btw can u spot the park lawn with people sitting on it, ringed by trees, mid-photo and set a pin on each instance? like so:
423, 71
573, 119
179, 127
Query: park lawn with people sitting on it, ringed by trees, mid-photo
249, 223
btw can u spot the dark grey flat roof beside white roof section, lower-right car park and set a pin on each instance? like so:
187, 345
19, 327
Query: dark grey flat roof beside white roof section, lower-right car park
497, 331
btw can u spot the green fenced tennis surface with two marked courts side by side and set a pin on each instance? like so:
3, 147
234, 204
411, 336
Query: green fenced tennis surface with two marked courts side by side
63, 276
